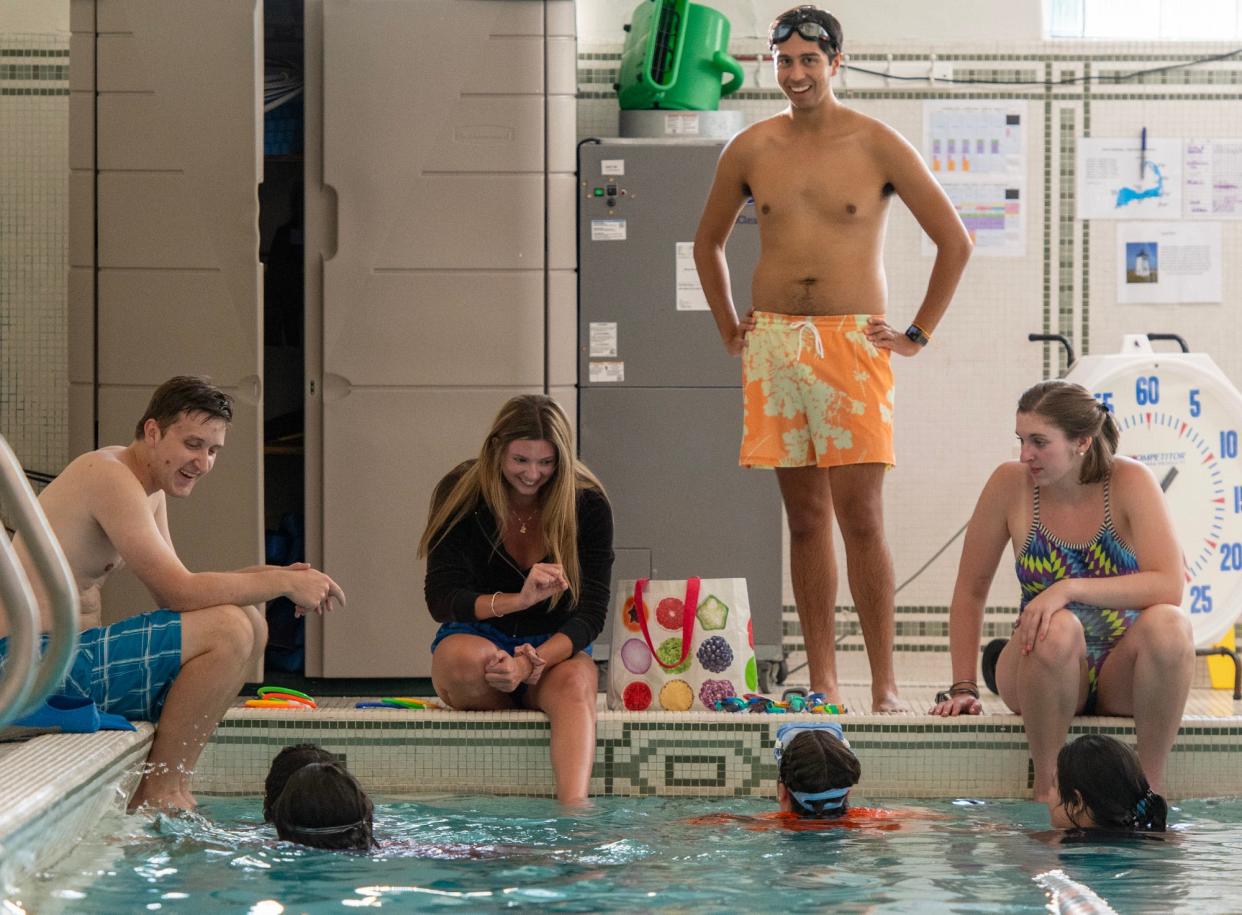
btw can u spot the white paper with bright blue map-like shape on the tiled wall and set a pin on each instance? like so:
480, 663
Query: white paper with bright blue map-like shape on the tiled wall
1120, 179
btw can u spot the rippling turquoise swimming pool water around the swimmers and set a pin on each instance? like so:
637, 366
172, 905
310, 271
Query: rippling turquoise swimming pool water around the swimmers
628, 855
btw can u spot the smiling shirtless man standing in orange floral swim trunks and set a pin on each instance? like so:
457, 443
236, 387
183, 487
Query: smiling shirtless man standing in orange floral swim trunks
817, 377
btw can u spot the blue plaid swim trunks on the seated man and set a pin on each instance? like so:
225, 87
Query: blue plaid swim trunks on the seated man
125, 669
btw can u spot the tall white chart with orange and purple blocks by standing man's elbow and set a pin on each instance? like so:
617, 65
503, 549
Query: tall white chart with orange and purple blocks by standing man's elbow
977, 151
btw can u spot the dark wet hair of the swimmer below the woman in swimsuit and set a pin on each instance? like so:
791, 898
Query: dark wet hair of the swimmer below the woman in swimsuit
1106, 774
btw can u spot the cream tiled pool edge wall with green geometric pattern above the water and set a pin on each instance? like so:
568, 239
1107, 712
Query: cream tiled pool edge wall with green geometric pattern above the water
413, 753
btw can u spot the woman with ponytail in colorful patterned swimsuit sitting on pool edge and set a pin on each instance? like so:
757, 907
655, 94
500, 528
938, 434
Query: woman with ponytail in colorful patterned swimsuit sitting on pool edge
1094, 538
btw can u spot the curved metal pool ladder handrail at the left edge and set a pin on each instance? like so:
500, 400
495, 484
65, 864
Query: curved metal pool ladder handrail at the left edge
27, 682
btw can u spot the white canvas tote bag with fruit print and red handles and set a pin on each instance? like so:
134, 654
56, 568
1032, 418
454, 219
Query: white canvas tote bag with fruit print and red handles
681, 645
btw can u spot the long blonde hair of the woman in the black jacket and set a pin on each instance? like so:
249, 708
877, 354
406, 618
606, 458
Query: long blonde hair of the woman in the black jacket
527, 418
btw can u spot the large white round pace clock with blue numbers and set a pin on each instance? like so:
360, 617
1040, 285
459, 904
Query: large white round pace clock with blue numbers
1184, 424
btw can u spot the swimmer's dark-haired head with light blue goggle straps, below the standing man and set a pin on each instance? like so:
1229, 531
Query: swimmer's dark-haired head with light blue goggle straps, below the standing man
817, 767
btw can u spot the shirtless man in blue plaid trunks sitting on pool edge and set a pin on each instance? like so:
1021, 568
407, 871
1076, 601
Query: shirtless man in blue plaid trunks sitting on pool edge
182, 666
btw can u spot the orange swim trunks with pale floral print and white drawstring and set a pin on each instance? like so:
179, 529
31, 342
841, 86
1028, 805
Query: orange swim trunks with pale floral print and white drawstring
815, 393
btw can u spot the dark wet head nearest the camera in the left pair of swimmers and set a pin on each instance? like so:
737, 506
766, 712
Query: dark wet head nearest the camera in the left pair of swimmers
324, 806
